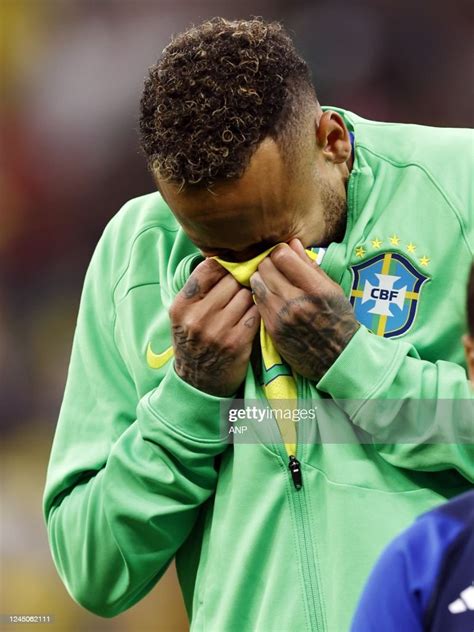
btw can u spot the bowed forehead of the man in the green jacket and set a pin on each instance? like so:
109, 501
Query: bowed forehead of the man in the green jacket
253, 208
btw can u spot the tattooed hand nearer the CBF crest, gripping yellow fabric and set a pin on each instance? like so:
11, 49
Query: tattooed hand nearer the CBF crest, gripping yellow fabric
306, 314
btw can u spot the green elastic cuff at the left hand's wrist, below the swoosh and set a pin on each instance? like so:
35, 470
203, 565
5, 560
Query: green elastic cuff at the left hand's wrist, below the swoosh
186, 409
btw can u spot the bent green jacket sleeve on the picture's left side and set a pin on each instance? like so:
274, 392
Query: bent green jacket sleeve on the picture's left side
125, 478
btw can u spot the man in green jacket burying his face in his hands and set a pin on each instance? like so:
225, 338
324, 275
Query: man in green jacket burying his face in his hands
246, 159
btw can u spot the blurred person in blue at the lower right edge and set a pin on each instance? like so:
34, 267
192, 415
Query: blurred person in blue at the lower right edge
424, 580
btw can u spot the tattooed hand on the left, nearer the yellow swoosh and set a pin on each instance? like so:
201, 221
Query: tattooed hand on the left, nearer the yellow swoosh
214, 321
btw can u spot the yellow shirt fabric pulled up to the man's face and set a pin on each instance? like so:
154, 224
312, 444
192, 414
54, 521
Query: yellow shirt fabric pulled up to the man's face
281, 391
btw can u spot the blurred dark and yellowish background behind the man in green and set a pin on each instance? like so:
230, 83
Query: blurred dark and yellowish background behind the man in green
71, 76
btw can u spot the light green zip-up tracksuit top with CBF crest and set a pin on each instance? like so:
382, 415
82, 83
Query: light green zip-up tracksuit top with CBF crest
140, 471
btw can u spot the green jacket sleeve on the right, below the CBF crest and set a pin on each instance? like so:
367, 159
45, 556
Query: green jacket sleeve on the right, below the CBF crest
419, 415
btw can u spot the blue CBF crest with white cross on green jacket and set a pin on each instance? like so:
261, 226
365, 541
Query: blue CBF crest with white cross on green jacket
385, 293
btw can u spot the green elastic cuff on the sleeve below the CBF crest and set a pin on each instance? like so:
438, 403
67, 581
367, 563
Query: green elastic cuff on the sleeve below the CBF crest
367, 362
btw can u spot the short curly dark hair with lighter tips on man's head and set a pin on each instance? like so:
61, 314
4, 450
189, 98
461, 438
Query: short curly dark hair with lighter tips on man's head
218, 90
